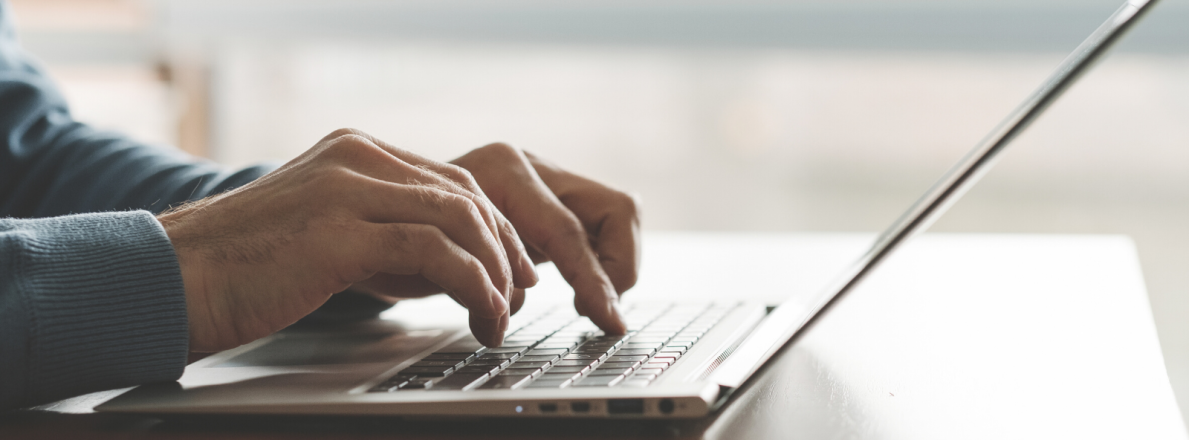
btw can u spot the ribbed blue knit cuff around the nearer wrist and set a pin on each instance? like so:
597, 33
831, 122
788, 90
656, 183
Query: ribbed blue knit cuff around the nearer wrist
108, 305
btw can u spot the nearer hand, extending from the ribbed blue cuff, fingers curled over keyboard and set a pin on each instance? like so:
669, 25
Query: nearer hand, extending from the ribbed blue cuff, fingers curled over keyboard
347, 213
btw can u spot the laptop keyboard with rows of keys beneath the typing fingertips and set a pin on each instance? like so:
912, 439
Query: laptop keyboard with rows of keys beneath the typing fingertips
559, 349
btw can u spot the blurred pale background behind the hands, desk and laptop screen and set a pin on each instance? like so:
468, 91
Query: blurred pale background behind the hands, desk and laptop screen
743, 116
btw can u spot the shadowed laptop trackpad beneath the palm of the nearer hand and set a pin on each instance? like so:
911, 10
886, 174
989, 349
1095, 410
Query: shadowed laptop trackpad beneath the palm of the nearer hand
297, 350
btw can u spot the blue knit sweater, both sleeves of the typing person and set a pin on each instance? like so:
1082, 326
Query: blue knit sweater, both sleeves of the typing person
91, 292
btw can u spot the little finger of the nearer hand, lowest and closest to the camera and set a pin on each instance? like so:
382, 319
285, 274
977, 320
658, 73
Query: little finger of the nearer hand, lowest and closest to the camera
414, 249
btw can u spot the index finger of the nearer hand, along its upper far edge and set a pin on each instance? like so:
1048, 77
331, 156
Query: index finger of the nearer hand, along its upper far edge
523, 269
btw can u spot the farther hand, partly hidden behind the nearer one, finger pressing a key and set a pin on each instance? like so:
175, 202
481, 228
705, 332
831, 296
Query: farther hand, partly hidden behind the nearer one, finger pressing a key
589, 231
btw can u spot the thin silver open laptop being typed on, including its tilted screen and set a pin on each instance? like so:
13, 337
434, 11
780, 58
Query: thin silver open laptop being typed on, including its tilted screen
677, 361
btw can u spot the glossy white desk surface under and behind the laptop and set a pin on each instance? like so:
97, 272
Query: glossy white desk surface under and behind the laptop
955, 337
